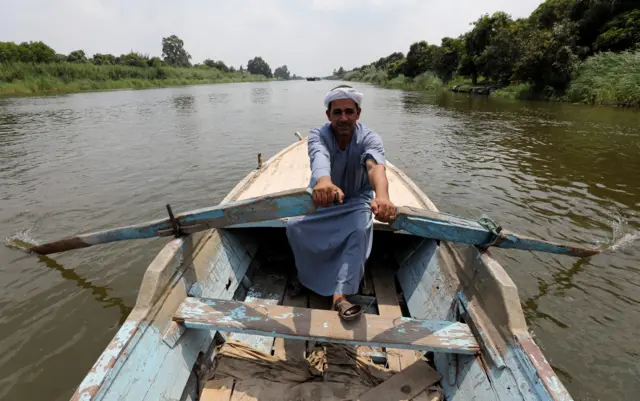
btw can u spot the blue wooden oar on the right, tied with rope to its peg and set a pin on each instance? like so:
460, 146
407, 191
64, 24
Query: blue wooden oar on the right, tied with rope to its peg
446, 227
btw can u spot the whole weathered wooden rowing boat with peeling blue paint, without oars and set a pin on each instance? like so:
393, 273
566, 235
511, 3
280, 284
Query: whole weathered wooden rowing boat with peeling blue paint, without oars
216, 320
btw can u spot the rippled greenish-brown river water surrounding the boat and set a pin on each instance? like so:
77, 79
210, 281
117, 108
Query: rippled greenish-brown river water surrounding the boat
76, 163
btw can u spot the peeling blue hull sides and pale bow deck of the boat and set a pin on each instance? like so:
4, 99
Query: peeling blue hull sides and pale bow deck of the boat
151, 357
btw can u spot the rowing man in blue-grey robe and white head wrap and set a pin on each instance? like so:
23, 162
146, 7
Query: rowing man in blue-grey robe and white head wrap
347, 162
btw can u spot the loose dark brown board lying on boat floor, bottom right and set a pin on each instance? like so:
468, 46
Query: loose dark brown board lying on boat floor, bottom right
405, 385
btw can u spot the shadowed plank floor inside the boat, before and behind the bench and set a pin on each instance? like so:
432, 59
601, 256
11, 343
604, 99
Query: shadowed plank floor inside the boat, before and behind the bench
256, 367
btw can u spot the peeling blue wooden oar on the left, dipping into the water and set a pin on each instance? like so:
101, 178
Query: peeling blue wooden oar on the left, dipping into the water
269, 207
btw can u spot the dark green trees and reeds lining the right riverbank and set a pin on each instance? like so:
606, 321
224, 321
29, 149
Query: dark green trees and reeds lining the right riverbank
585, 51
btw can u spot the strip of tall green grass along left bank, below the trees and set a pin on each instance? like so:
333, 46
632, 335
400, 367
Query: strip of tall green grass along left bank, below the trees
25, 78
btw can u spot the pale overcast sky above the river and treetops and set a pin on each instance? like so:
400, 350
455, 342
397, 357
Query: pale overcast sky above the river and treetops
311, 37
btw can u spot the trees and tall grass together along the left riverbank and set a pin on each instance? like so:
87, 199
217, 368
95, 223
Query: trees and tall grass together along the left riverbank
35, 67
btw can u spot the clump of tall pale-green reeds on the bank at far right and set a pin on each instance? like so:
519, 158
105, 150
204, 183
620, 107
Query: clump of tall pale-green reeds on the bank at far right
608, 79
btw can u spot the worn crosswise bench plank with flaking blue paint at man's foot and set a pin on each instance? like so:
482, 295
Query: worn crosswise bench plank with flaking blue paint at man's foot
304, 323
